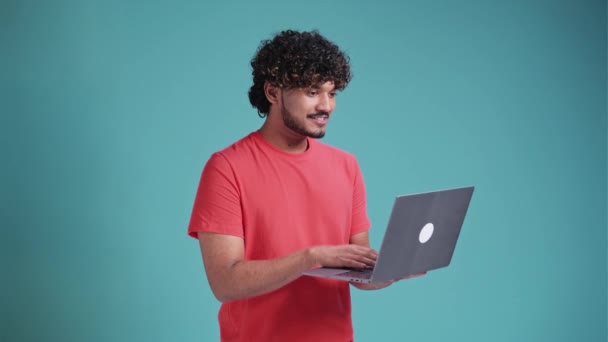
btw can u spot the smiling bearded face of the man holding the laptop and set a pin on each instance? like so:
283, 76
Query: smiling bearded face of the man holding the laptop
306, 111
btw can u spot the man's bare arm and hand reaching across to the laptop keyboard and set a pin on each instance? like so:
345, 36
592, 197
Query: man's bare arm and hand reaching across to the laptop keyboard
232, 277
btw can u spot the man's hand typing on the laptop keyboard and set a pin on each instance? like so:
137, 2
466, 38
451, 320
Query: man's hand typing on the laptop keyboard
353, 256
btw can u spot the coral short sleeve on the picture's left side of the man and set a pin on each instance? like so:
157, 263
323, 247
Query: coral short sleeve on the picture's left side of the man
217, 205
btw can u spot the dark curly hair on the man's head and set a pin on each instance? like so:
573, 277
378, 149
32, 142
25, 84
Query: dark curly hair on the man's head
295, 59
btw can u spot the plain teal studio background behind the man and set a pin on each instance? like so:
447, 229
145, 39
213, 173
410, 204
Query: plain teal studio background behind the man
110, 110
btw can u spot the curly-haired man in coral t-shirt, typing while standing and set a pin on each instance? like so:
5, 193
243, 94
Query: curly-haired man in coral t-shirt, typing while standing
278, 202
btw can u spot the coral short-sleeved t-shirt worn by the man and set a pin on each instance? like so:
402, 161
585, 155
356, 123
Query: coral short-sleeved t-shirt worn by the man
279, 203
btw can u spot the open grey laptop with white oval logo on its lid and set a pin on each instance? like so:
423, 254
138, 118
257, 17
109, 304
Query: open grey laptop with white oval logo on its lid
420, 237
